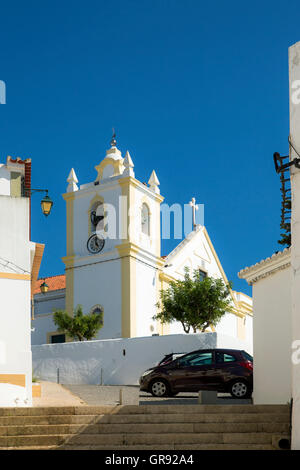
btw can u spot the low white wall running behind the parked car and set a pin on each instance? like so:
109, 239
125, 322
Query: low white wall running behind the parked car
85, 362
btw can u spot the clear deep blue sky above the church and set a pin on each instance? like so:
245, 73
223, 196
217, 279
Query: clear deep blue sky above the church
197, 91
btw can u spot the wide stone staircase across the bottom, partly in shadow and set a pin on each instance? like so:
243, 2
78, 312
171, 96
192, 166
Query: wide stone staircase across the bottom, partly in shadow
153, 427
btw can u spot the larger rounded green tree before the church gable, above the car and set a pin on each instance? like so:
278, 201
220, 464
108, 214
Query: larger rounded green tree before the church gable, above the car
194, 302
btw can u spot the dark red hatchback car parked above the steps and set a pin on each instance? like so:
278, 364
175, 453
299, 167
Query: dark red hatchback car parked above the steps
222, 370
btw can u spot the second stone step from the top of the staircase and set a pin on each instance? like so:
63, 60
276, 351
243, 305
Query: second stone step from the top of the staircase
145, 419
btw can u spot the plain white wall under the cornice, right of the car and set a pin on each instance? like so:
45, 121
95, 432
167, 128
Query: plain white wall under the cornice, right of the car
272, 338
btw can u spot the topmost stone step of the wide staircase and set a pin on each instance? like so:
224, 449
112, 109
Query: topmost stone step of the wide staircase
143, 409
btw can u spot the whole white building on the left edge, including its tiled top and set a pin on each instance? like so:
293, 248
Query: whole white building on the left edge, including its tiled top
19, 266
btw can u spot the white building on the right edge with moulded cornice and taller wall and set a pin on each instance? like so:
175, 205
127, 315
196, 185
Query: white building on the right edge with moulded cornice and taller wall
276, 290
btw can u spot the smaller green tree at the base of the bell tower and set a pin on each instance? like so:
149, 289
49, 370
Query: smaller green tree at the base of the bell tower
79, 326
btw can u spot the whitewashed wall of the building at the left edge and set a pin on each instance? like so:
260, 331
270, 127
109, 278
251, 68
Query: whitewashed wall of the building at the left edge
15, 353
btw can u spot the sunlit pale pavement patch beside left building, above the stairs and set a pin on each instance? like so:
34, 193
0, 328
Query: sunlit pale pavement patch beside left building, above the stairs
56, 395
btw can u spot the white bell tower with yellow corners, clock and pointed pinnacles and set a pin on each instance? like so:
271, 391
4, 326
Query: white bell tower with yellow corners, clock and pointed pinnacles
113, 246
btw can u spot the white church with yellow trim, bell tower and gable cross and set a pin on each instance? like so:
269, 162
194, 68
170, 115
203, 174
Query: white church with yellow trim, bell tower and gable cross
120, 269
